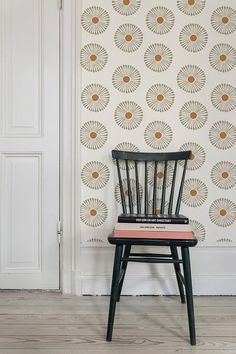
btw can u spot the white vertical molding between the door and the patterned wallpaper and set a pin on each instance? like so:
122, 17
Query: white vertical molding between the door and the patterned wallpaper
68, 146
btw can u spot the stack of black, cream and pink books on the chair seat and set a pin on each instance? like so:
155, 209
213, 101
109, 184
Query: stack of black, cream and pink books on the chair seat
153, 226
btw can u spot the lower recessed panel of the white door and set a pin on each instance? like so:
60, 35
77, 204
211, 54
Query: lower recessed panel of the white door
22, 181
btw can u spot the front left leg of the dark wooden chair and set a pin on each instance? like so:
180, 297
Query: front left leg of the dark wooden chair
114, 290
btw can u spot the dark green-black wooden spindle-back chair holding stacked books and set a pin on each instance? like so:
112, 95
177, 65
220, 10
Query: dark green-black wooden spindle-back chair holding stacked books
172, 169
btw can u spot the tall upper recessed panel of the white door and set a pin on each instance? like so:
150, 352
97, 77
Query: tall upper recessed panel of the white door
22, 45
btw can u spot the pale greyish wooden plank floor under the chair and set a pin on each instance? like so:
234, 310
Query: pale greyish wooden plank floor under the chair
51, 323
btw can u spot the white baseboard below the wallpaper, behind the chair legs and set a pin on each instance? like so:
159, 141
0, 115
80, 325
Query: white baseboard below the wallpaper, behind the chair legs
213, 272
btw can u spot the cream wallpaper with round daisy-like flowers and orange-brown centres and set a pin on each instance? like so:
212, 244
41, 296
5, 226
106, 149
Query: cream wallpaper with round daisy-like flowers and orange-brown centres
159, 75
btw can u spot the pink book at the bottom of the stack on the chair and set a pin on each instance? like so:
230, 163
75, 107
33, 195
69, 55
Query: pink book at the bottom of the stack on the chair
179, 235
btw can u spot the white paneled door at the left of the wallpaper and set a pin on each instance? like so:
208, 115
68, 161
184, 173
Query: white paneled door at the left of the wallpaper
29, 144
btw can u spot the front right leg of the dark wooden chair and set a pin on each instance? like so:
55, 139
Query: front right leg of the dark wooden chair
189, 294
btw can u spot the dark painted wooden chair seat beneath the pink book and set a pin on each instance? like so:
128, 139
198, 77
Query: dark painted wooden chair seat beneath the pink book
154, 241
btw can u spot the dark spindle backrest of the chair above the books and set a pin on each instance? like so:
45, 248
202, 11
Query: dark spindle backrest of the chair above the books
163, 177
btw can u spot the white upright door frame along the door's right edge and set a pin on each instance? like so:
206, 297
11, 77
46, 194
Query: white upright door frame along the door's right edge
70, 282
